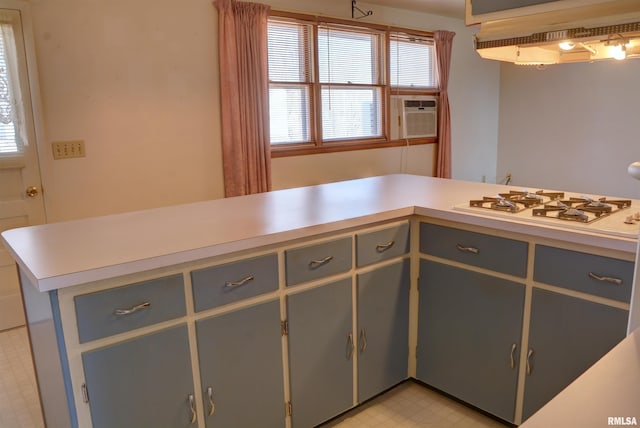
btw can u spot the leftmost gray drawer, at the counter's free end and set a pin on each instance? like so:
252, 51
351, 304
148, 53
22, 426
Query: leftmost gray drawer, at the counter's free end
163, 299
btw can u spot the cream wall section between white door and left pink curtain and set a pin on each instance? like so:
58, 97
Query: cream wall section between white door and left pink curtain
138, 81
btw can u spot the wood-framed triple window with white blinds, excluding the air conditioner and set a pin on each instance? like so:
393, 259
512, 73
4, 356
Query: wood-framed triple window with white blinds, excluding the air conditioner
331, 82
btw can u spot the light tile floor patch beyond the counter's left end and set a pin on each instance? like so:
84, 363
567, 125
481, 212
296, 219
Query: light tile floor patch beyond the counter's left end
19, 402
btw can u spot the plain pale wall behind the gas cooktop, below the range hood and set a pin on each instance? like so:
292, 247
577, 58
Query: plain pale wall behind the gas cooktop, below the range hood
571, 127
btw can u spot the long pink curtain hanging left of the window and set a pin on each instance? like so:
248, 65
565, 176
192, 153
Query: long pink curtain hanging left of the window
244, 97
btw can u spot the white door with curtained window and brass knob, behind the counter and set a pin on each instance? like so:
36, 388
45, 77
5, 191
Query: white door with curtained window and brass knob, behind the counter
21, 202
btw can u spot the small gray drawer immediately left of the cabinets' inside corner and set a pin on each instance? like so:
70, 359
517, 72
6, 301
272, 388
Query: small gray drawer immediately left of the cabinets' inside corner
373, 247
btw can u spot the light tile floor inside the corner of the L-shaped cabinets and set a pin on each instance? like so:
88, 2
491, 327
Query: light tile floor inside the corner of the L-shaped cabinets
410, 405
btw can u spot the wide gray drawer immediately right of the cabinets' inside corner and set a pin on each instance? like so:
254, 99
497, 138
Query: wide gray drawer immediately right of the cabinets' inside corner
477, 249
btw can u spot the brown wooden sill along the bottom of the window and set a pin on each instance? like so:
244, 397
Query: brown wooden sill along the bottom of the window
307, 149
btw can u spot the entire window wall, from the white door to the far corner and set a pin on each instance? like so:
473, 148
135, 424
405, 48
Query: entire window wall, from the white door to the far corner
138, 82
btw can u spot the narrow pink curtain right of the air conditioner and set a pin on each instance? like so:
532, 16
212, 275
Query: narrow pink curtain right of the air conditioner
443, 41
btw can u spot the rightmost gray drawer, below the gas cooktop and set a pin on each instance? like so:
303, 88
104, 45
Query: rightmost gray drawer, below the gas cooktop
580, 272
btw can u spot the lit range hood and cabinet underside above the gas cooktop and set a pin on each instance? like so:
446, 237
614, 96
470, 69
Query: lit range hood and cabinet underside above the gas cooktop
539, 32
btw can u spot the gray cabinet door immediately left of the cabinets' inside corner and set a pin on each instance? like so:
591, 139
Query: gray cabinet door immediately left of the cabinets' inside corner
383, 328
